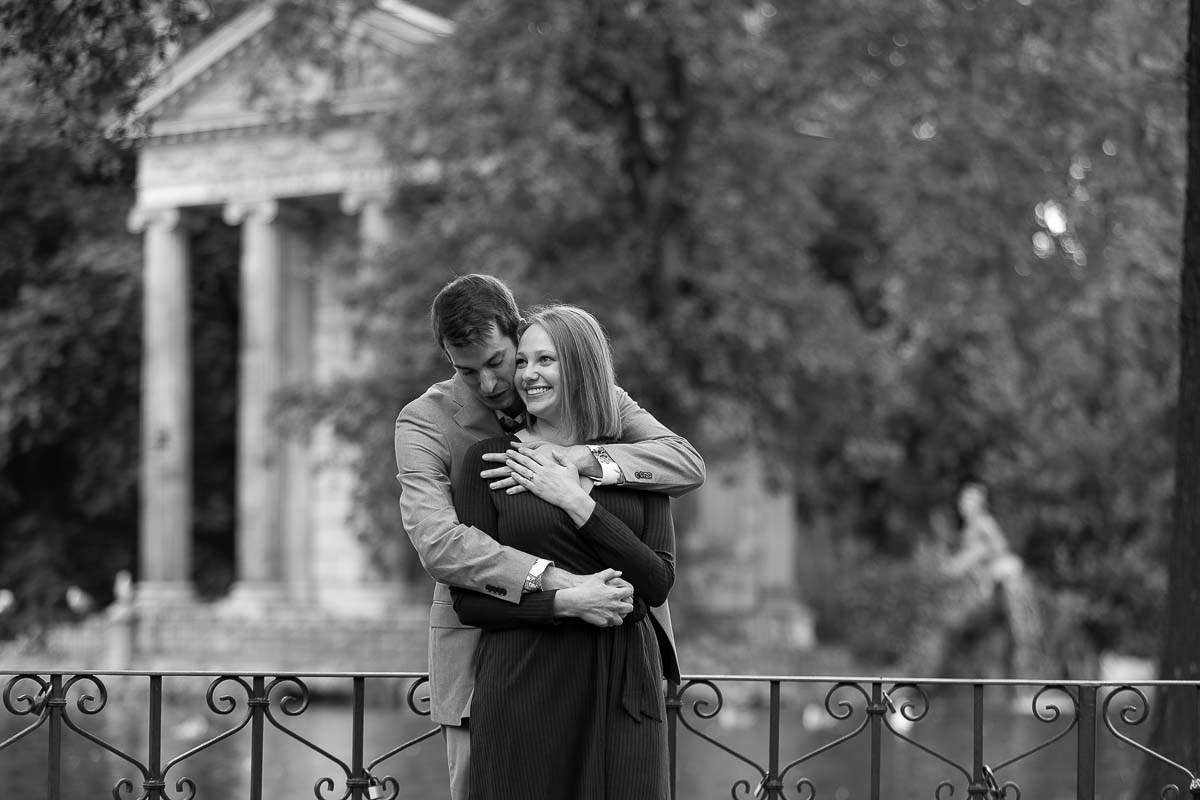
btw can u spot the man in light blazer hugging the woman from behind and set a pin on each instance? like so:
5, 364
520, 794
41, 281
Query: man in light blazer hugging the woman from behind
476, 321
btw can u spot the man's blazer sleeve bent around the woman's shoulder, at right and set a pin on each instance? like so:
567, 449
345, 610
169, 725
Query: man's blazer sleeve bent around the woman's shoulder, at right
651, 456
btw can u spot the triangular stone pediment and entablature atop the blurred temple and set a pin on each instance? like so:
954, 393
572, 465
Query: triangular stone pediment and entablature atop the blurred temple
231, 122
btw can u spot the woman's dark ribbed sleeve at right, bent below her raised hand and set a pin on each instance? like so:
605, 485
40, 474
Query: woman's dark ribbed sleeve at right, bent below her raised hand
647, 562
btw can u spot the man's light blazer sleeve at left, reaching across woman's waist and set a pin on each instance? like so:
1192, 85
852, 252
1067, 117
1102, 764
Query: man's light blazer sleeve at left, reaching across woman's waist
452, 552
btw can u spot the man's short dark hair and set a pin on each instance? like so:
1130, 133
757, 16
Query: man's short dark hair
466, 309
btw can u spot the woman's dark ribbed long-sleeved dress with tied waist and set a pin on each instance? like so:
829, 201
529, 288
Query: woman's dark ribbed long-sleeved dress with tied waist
568, 711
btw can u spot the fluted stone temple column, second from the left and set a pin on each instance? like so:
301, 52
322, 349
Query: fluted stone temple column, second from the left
260, 572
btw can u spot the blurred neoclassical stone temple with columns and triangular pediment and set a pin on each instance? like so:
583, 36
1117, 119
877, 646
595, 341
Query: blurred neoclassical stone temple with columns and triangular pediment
271, 149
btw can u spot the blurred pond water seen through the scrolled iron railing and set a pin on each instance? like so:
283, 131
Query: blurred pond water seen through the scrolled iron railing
293, 771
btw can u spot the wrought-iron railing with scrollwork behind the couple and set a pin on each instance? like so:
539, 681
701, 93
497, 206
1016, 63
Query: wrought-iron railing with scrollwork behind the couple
881, 727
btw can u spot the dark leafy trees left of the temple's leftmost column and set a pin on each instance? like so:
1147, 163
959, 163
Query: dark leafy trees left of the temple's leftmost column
70, 293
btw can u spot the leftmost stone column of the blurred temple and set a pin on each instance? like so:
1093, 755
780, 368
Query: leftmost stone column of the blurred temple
166, 516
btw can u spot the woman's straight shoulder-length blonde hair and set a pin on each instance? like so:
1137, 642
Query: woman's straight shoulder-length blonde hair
585, 363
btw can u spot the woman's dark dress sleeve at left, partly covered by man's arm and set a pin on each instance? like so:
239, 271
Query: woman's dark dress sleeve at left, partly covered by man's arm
477, 506
